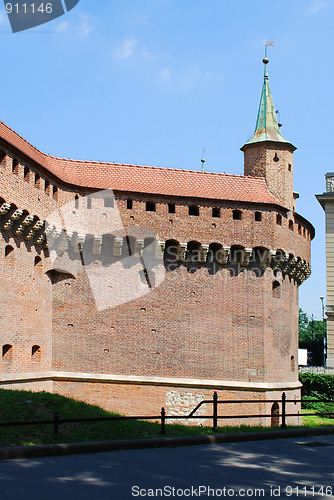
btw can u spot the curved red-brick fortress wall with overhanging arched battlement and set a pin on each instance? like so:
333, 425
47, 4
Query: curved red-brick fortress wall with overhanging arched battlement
229, 315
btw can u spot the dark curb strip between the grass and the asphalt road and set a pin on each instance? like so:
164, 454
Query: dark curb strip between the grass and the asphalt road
62, 449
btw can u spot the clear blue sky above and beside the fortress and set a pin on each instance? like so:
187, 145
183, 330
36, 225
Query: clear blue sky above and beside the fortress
154, 82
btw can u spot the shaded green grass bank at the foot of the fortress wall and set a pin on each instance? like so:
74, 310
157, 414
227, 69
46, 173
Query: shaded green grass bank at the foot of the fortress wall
17, 406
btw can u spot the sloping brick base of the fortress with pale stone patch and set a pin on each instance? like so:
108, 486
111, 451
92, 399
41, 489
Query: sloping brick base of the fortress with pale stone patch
147, 399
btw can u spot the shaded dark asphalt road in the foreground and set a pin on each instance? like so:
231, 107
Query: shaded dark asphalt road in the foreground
284, 468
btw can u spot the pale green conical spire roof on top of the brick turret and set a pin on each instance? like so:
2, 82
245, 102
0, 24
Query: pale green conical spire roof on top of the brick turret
267, 128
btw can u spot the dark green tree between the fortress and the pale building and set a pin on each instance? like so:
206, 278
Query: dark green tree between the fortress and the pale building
311, 337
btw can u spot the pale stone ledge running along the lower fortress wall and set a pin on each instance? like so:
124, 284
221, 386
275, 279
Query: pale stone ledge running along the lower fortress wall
13, 378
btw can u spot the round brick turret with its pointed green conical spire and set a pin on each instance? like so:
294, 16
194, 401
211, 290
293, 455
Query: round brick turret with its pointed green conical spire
267, 153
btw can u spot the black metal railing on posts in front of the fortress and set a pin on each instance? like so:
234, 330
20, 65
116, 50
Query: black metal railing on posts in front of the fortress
163, 417
